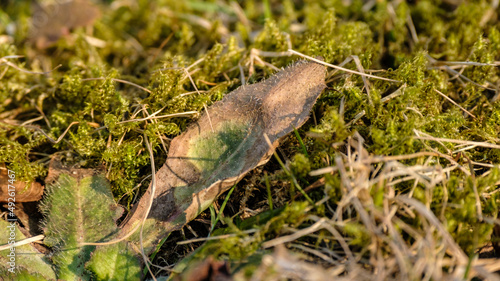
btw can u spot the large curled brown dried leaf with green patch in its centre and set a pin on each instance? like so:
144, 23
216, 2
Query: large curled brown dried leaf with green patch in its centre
224, 144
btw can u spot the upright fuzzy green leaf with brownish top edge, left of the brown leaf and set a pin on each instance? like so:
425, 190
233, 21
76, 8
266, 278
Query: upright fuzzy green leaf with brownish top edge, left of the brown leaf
79, 208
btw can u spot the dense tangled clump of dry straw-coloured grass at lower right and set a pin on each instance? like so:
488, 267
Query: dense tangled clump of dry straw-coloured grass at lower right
431, 254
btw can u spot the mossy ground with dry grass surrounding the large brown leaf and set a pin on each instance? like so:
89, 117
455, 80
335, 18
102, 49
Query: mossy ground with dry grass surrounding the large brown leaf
423, 44
